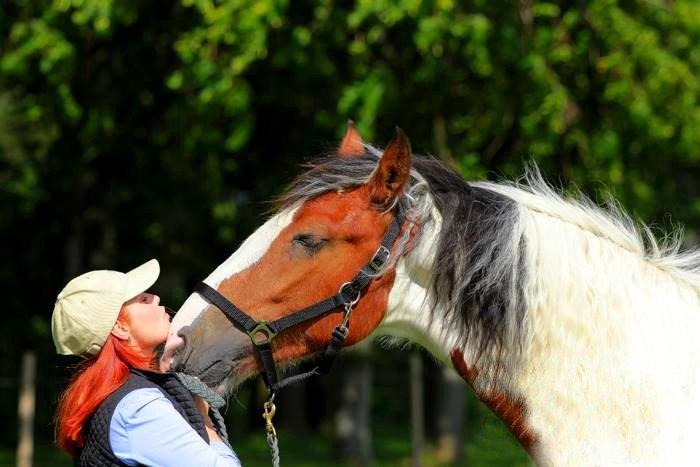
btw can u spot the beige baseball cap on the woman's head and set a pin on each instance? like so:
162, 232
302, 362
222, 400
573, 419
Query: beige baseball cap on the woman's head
88, 306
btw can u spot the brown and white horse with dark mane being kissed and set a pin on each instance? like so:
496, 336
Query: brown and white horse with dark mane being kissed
570, 321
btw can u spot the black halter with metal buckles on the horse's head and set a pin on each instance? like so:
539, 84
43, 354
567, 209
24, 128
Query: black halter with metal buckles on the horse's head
261, 333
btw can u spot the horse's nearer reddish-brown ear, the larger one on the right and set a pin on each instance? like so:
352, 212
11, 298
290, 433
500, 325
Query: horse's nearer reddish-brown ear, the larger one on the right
391, 175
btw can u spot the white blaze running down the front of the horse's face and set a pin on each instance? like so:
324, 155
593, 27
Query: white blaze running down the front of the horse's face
249, 252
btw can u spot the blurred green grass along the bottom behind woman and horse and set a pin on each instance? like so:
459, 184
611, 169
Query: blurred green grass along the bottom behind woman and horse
488, 444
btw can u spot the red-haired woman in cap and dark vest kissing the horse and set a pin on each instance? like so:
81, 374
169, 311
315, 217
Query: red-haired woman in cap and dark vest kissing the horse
118, 410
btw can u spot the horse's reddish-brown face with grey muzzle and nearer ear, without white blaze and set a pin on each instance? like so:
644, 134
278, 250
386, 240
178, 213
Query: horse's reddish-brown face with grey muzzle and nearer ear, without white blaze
322, 245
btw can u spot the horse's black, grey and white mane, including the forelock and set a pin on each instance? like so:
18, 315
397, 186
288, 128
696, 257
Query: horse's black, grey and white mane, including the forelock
479, 276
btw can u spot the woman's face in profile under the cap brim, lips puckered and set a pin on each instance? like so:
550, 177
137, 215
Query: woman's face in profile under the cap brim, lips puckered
146, 321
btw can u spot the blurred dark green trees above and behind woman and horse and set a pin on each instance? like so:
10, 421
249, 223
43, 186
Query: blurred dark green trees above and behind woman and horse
132, 129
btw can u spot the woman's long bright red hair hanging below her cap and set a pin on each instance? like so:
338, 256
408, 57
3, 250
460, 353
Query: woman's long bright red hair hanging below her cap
94, 381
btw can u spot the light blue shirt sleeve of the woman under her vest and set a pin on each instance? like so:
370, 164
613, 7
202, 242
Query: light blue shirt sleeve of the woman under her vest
146, 429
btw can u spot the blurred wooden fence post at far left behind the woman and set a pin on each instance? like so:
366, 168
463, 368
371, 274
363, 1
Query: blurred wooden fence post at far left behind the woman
27, 401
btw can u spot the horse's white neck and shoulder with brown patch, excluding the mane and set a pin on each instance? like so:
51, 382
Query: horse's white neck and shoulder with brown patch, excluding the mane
609, 370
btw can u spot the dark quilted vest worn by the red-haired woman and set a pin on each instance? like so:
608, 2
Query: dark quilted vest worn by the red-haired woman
97, 450
